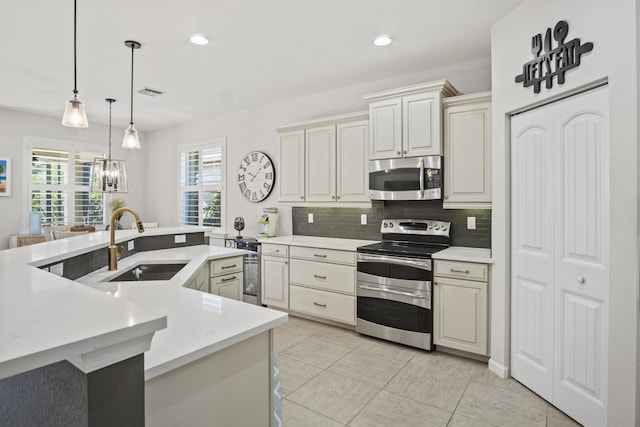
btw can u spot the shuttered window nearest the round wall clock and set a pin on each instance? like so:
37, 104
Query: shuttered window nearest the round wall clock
202, 184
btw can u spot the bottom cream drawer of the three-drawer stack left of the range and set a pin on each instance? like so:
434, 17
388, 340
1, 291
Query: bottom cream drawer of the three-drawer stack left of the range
325, 304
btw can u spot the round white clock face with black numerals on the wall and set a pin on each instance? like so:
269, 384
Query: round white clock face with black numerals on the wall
256, 176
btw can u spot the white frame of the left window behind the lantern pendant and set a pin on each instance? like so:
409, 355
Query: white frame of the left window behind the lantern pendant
72, 148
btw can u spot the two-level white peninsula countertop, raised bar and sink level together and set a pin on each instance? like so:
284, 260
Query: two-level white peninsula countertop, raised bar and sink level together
45, 318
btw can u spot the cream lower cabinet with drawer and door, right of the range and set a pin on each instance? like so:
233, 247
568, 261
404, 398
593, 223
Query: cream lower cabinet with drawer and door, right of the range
461, 306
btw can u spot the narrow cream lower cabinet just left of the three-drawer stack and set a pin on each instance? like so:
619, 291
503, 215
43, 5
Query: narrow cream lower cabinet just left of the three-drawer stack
274, 273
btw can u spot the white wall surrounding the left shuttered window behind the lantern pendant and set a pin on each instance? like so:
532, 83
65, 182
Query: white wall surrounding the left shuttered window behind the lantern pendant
16, 125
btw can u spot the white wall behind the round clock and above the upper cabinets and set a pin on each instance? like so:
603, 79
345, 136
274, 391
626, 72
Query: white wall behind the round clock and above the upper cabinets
254, 129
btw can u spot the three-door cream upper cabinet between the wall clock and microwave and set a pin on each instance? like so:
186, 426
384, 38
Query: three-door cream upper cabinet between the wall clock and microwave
325, 161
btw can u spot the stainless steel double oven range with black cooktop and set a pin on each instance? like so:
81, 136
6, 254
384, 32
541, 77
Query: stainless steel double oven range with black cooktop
394, 291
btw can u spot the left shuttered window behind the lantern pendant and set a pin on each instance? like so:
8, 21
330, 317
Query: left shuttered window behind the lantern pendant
59, 184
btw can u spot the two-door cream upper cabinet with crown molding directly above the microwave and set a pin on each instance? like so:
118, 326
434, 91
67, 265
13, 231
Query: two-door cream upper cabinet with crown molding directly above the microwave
406, 122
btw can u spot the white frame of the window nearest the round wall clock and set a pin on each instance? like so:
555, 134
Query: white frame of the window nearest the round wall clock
221, 143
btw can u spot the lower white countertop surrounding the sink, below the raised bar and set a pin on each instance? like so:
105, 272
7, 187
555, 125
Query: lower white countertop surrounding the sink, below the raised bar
198, 323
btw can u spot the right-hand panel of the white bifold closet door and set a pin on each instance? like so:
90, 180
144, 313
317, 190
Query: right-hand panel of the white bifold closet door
582, 256
